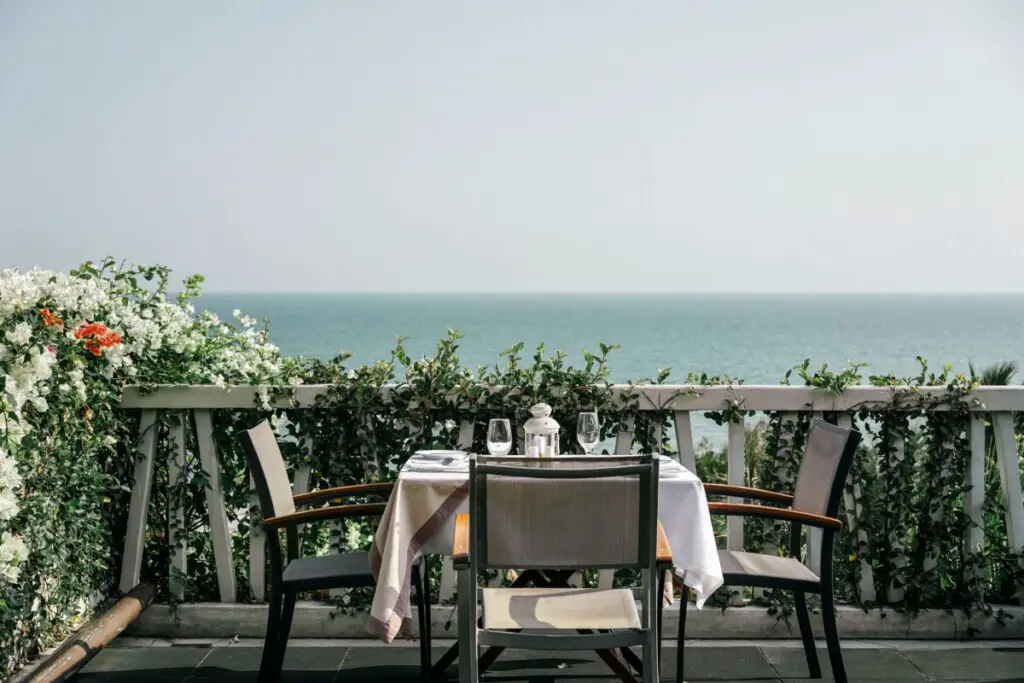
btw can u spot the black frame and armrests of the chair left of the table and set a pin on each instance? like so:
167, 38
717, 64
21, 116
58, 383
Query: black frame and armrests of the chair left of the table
283, 596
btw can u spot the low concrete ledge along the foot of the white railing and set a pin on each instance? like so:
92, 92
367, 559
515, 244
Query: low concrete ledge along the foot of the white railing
316, 620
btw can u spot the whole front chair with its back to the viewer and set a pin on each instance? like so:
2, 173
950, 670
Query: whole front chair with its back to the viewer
559, 516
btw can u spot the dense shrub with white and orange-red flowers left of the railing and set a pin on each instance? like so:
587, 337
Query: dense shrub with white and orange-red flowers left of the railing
68, 345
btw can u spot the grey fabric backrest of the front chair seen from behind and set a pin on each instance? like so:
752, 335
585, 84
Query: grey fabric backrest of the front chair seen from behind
564, 513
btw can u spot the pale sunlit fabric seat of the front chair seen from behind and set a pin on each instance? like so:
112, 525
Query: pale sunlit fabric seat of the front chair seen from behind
560, 609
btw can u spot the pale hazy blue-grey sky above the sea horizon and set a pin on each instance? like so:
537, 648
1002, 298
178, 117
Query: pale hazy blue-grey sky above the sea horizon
570, 145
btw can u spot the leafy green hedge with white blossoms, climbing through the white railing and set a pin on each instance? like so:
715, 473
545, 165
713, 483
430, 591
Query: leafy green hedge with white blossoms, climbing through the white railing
71, 343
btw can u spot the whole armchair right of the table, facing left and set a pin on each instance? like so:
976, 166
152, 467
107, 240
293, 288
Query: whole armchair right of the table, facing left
827, 462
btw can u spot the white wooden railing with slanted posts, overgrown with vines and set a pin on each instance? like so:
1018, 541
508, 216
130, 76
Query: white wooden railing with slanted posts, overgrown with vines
997, 404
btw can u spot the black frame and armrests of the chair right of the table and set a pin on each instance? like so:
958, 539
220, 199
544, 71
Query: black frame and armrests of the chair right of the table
829, 524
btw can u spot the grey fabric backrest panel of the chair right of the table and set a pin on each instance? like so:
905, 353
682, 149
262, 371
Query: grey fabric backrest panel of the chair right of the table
828, 457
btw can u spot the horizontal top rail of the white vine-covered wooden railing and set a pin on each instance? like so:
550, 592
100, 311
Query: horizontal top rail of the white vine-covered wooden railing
669, 398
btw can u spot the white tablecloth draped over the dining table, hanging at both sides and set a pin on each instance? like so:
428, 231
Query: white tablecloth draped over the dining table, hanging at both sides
420, 520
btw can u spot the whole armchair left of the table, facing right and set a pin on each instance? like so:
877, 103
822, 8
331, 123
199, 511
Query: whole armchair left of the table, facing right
309, 574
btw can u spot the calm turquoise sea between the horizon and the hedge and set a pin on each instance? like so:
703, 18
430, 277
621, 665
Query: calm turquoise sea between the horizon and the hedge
753, 337
